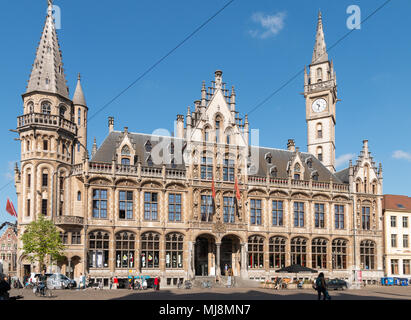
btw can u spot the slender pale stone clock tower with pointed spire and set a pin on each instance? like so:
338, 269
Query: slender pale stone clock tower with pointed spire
320, 92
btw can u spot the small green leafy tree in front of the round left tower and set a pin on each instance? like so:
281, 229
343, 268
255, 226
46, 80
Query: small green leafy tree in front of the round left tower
42, 239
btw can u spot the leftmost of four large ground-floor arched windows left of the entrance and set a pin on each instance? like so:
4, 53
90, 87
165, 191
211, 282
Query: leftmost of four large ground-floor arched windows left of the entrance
98, 253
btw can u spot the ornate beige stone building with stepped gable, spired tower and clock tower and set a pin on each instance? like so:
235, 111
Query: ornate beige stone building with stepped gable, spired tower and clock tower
124, 209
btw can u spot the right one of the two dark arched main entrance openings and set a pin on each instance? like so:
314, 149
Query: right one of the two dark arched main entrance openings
230, 256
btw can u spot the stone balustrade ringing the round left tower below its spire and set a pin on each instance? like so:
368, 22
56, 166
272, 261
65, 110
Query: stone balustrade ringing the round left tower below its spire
46, 119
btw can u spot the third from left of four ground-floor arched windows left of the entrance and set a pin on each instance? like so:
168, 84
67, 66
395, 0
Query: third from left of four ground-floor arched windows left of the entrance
150, 250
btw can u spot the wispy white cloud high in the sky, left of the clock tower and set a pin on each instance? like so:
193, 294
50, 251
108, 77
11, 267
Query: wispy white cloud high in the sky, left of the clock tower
270, 25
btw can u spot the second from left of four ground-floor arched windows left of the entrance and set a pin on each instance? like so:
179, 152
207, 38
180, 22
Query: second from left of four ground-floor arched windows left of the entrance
125, 250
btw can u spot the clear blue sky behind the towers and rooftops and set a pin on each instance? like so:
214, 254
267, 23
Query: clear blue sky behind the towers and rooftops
259, 45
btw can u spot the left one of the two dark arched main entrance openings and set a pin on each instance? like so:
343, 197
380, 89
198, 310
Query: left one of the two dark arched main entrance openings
204, 258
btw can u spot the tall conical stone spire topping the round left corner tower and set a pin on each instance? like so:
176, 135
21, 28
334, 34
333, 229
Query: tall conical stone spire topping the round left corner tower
47, 74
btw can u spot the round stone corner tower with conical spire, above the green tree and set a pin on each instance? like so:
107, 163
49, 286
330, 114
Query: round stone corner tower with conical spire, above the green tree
47, 133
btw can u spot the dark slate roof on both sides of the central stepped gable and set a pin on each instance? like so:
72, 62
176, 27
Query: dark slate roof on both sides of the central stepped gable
280, 158
